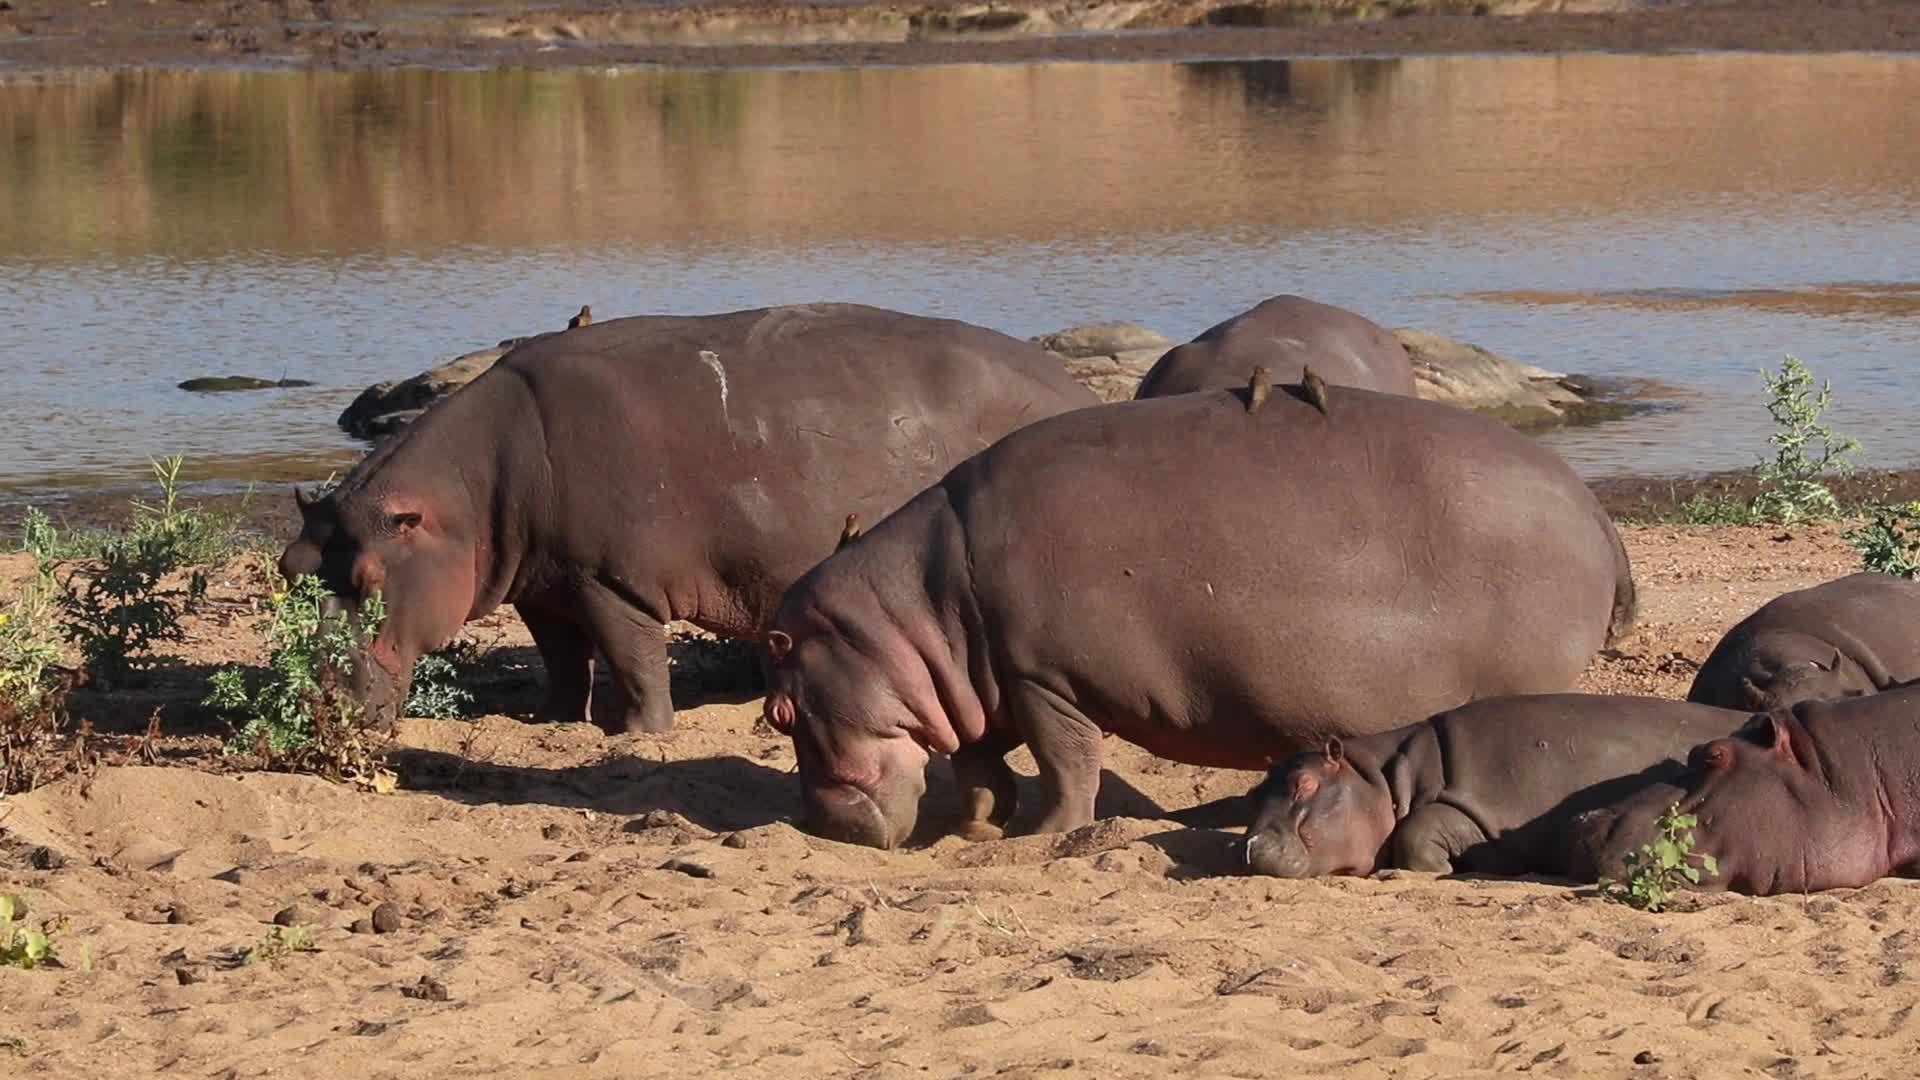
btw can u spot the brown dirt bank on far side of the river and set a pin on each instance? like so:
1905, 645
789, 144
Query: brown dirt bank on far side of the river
744, 34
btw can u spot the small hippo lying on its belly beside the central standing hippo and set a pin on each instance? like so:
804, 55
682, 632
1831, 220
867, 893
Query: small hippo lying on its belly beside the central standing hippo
1489, 787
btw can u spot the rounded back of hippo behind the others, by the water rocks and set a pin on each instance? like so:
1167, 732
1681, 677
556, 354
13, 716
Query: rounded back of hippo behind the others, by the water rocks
1285, 335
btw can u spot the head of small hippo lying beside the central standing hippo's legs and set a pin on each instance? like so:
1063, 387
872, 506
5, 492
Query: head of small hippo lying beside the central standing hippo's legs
1318, 816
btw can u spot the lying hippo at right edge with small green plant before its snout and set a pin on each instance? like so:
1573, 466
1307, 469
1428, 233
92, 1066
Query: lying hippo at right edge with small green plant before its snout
1825, 795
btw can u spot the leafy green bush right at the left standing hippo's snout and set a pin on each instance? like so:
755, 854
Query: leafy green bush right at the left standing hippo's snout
299, 716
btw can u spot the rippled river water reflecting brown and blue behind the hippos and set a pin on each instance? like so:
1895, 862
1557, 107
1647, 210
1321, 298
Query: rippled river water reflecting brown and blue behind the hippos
1681, 218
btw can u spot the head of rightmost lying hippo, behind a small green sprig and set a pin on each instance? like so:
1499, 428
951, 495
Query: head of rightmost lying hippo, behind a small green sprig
1764, 812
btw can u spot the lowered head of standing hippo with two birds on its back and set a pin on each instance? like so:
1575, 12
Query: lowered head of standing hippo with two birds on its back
861, 749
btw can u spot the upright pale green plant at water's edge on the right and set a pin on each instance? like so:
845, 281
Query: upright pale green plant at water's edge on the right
1804, 449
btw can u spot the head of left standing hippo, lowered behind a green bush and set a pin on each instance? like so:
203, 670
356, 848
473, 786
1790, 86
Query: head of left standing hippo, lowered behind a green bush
362, 543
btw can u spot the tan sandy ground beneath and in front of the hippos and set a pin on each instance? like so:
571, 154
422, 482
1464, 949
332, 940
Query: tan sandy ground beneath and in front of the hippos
581, 906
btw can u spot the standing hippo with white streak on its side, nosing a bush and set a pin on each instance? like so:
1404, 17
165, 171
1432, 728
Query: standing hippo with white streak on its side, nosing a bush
627, 474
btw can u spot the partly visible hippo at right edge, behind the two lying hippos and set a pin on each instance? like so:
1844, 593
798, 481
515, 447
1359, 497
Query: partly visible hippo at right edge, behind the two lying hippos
1850, 637
